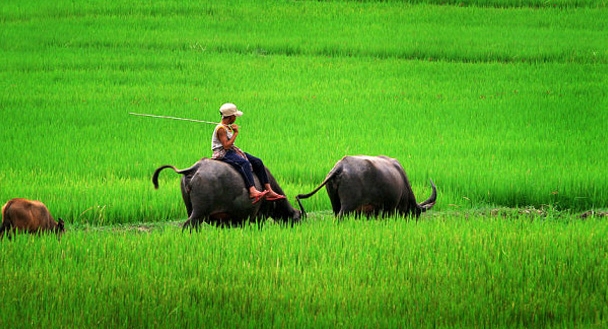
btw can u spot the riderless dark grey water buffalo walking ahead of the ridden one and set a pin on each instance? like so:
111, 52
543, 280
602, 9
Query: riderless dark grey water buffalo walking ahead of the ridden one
372, 186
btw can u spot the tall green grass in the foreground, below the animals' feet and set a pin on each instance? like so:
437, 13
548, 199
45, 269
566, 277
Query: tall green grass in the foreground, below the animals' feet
464, 271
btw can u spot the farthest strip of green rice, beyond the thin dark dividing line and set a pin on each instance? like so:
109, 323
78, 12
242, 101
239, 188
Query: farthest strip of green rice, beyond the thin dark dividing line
316, 28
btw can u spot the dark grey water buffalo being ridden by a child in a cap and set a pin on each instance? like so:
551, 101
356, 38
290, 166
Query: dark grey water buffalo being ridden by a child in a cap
214, 192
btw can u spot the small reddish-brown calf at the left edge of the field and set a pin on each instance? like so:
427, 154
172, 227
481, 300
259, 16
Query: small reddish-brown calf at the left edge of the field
28, 216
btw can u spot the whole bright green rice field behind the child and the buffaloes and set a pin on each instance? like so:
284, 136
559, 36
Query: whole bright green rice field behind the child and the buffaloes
498, 106
